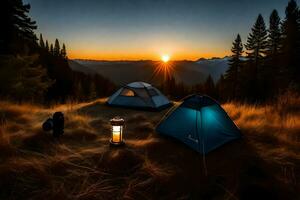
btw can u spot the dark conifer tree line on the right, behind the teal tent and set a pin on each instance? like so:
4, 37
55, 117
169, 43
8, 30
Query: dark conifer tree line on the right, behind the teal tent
261, 69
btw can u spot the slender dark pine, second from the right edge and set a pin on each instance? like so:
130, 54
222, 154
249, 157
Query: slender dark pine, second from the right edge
274, 34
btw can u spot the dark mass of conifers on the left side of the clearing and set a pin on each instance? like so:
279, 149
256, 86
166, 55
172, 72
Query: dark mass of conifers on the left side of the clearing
32, 69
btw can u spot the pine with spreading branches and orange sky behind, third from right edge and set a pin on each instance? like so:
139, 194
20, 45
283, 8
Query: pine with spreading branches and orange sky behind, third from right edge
257, 41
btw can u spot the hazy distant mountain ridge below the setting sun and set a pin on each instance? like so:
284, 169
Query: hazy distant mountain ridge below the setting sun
122, 72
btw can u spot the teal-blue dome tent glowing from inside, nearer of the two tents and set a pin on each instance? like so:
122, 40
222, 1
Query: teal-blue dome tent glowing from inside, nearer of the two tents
199, 122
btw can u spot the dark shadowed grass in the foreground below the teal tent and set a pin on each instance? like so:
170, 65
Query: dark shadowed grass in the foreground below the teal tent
233, 171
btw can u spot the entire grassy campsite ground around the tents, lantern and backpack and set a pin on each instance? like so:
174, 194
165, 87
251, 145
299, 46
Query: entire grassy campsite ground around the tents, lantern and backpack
264, 164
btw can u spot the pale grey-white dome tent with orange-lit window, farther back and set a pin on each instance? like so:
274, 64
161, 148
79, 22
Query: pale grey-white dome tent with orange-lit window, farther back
139, 95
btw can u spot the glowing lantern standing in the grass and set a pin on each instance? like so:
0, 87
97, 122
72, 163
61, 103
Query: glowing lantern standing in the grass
117, 124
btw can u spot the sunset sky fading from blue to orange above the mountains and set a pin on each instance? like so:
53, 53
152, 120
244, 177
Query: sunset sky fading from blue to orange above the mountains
147, 29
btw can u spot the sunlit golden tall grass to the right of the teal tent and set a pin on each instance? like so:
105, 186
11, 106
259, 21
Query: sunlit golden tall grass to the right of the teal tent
278, 123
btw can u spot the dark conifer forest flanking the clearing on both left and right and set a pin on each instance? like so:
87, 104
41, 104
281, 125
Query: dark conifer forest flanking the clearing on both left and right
260, 69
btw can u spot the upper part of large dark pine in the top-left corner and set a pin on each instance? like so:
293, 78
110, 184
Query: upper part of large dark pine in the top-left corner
16, 26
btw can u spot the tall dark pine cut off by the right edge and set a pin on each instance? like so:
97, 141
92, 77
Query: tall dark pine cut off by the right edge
291, 43
